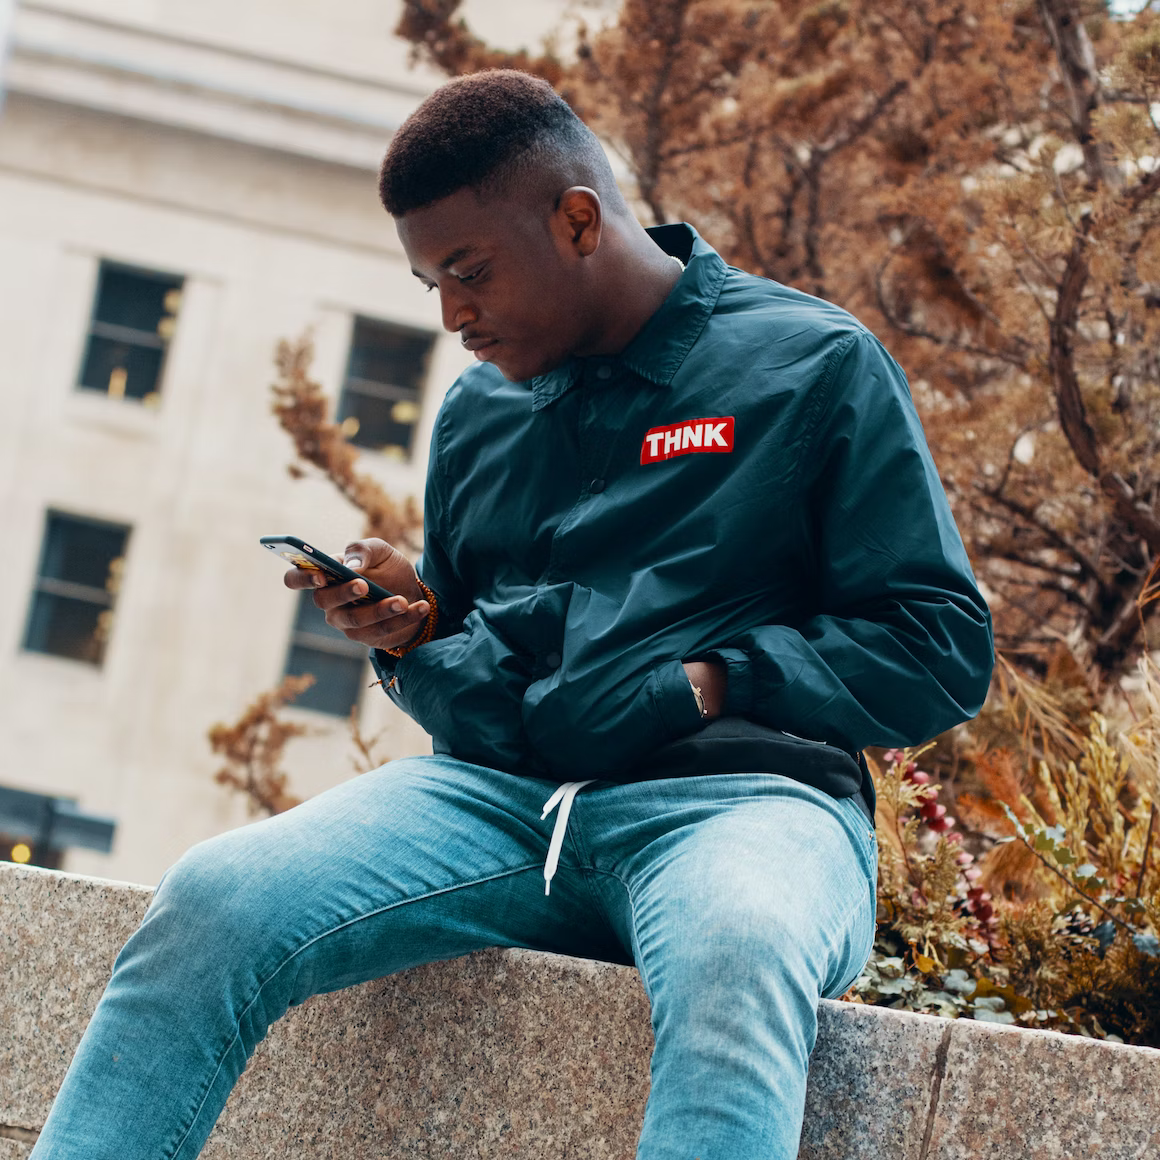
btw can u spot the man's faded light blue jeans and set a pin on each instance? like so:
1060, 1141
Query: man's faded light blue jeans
742, 898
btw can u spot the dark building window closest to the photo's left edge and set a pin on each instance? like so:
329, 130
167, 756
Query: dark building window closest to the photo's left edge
82, 563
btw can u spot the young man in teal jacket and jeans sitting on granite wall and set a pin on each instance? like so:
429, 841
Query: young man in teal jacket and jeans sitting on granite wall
686, 555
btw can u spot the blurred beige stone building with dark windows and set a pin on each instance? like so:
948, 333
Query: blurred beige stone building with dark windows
184, 184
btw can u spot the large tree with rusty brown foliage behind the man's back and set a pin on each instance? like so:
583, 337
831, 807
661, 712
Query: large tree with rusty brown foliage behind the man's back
963, 178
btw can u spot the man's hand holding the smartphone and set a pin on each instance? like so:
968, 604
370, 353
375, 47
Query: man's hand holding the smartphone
387, 625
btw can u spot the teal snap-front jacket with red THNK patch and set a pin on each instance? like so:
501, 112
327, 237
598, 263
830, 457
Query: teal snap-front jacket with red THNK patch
749, 481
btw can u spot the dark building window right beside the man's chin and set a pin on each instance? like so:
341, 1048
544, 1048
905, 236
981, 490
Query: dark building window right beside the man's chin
386, 373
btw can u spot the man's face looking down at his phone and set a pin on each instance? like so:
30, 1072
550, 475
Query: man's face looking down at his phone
506, 275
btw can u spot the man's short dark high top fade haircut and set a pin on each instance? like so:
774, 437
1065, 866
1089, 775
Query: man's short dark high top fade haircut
495, 133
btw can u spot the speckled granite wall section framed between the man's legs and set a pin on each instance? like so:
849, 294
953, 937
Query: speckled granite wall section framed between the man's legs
499, 1055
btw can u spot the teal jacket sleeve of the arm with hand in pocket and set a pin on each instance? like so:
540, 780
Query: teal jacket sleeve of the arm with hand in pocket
901, 647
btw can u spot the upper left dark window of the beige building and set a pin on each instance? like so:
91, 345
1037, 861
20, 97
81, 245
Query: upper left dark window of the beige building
134, 318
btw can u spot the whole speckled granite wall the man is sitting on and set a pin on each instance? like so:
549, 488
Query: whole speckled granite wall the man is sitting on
516, 1055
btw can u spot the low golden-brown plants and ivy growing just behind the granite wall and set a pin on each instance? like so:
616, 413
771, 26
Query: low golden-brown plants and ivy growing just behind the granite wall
1058, 926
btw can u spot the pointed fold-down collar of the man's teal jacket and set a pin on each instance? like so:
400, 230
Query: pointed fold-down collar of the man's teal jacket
657, 353
